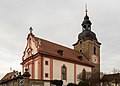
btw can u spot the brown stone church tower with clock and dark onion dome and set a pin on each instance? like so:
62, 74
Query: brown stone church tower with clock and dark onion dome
88, 45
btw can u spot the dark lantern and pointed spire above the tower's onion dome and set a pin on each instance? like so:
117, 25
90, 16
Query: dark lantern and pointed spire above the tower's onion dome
86, 24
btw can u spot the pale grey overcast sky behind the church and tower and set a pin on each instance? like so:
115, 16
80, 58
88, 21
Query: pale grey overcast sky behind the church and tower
58, 21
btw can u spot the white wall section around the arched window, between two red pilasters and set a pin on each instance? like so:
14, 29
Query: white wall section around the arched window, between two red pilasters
57, 64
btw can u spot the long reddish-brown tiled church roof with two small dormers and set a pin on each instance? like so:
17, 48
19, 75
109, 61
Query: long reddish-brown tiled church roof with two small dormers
70, 54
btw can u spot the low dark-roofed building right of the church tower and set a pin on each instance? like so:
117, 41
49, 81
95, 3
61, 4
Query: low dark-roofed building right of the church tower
111, 80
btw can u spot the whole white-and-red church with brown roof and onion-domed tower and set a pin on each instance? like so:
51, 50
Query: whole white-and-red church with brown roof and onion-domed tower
46, 60
